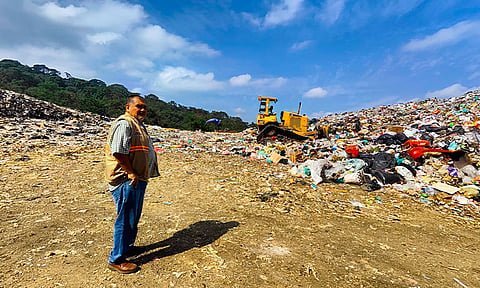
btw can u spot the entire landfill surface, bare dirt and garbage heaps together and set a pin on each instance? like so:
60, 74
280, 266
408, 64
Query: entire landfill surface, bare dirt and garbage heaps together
392, 184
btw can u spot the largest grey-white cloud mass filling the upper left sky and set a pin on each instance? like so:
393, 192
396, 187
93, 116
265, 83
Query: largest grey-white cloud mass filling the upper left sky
102, 36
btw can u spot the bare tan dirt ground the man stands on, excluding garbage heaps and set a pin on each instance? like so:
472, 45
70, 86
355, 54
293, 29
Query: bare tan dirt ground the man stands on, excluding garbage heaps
214, 220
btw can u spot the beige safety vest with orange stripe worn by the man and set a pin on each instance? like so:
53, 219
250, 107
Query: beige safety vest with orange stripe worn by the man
138, 154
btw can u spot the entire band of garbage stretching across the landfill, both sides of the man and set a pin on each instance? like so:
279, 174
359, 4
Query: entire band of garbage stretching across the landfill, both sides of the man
429, 149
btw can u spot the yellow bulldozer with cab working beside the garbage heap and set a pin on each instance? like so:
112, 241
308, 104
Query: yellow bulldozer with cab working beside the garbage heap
292, 125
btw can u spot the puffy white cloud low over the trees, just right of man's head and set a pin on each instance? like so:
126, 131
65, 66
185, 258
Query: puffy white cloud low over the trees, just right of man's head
182, 79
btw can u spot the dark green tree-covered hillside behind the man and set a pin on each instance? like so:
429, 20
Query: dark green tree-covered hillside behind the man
97, 97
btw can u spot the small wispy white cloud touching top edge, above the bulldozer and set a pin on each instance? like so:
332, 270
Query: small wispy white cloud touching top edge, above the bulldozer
283, 12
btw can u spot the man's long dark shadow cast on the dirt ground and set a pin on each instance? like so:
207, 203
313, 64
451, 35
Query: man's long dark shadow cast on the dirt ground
196, 235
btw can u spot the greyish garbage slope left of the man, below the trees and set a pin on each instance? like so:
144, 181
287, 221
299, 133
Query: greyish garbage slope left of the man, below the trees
27, 123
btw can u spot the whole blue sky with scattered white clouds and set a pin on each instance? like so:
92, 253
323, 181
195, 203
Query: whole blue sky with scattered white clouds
331, 55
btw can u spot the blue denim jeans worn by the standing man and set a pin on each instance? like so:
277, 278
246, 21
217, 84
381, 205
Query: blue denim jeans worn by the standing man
129, 201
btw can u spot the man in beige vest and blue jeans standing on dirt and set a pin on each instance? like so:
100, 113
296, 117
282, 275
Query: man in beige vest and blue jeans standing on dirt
130, 162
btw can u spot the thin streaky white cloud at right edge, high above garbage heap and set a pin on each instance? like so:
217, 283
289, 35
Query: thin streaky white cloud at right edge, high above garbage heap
445, 37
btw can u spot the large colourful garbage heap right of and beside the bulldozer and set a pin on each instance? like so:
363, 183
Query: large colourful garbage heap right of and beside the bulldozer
427, 148
